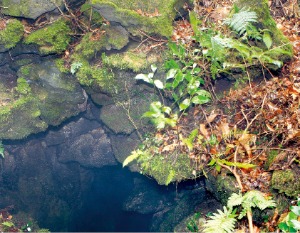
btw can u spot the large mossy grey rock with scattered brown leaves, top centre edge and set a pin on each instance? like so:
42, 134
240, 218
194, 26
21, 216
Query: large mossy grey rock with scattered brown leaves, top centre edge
155, 16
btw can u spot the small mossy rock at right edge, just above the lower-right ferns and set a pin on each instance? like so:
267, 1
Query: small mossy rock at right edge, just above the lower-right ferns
287, 182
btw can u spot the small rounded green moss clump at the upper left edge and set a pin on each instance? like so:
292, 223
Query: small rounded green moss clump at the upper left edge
12, 34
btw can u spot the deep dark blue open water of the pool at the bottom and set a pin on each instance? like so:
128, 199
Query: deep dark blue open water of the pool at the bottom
102, 208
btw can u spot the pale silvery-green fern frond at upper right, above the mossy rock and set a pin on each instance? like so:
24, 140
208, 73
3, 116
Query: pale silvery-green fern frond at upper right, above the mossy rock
239, 21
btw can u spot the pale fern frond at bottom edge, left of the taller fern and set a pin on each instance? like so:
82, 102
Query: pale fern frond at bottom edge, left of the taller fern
221, 222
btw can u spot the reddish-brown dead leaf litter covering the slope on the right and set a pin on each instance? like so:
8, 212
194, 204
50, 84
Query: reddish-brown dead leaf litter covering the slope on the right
260, 119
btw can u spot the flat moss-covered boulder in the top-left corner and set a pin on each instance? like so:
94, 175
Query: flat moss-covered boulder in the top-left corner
29, 8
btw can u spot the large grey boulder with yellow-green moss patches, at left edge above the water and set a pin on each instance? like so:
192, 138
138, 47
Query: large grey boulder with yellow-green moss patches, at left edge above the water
39, 96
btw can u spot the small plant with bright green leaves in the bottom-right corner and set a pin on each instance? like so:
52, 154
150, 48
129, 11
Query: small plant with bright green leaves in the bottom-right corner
291, 222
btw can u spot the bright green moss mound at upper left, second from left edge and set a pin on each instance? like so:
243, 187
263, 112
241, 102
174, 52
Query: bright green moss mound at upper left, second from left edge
54, 38
